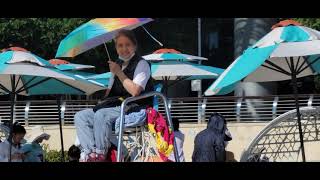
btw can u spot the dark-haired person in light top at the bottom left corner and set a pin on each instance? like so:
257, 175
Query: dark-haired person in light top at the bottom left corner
18, 133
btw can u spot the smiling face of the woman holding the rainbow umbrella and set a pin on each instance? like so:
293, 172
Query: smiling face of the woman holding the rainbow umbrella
125, 47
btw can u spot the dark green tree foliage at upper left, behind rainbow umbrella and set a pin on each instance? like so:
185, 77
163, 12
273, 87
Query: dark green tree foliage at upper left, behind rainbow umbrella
39, 35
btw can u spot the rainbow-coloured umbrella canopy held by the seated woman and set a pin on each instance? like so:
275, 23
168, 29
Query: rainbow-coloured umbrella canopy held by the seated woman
94, 33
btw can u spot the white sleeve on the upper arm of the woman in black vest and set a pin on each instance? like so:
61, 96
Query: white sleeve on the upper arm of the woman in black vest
142, 74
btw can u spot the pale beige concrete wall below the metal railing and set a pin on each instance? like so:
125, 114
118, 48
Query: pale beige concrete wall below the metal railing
242, 134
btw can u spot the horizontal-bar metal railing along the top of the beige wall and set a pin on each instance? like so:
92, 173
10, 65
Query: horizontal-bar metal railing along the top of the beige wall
238, 109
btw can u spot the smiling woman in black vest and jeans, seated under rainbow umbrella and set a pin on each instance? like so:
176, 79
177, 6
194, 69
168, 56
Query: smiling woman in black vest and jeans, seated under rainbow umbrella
131, 77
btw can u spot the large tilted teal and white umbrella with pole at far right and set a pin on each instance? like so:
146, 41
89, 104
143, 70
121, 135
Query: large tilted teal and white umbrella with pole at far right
288, 52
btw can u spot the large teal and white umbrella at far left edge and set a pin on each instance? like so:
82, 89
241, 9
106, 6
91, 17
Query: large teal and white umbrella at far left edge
27, 74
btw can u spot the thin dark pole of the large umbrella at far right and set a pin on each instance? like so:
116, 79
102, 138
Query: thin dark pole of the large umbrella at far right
295, 91
